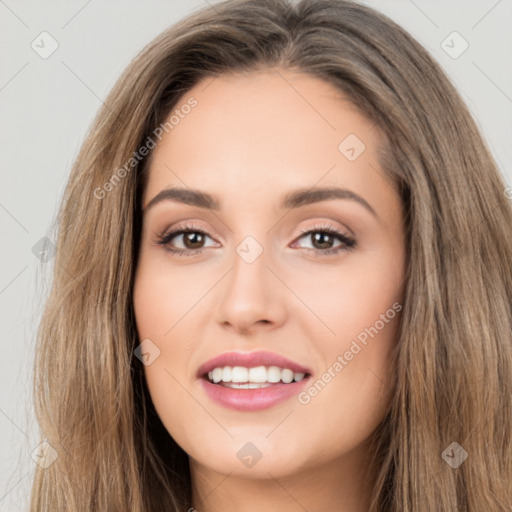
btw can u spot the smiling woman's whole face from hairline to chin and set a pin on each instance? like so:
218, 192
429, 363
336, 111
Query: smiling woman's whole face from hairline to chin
295, 248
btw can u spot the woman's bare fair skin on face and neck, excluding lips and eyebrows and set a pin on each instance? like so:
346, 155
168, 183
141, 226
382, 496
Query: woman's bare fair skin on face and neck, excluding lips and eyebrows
251, 139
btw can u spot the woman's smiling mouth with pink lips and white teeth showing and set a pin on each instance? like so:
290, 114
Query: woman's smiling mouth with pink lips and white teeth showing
252, 381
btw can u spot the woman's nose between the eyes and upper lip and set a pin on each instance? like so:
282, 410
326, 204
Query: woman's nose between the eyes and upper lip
252, 297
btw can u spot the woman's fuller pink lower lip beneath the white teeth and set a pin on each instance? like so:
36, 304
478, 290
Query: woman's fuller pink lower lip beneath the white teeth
252, 399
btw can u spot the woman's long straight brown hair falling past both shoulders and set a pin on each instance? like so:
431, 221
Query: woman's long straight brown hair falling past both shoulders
454, 350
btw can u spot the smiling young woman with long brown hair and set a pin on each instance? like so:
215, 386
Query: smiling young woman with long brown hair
194, 354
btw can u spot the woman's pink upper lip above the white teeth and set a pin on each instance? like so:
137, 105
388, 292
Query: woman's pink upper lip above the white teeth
249, 360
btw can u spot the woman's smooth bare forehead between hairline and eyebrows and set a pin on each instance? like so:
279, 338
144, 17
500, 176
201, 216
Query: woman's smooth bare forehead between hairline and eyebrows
271, 129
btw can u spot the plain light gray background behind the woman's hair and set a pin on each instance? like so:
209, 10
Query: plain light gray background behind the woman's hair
48, 104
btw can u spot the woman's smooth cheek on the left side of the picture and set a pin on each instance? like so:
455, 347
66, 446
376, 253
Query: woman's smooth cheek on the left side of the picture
164, 302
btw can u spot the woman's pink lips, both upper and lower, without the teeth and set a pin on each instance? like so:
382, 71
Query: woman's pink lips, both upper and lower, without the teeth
251, 399
